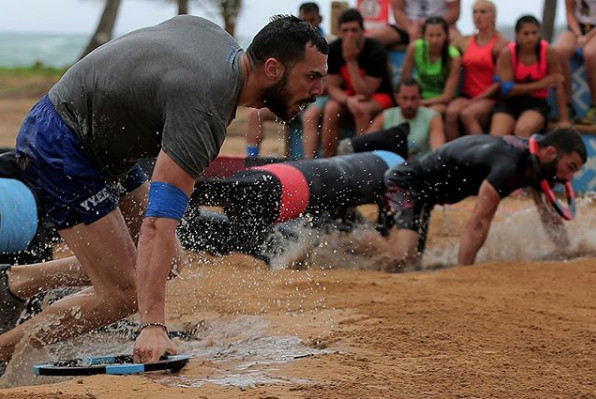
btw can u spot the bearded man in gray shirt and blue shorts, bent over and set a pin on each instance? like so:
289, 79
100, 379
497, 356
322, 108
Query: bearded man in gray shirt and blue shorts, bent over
167, 91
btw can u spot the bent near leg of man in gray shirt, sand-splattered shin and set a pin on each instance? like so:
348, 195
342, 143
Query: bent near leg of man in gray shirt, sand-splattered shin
107, 254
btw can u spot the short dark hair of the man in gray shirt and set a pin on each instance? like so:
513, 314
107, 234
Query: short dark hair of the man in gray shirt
285, 38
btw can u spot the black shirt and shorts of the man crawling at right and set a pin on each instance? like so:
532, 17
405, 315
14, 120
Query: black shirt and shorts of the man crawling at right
453, 172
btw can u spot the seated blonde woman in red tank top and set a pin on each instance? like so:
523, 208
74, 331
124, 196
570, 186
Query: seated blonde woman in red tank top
479, 90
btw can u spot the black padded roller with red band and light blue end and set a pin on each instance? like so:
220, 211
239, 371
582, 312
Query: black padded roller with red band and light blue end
255, 199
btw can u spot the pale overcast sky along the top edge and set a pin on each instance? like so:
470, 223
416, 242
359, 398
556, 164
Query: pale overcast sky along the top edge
81, 16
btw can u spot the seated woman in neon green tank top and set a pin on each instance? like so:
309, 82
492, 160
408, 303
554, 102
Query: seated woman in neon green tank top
437, 64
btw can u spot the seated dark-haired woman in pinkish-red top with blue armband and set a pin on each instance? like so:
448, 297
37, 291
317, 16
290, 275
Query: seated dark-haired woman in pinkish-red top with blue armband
527, 69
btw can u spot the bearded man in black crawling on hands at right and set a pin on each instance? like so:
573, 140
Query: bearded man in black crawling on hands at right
489, 167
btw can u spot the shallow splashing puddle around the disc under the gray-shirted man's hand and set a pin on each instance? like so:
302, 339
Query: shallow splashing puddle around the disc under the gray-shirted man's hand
238, 351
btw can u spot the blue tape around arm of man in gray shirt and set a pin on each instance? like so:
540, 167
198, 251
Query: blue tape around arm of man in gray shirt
166, 201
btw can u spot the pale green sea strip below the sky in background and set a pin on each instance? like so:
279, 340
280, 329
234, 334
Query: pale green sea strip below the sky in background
22, 49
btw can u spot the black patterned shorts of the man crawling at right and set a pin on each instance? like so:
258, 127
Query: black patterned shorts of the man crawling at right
409, 212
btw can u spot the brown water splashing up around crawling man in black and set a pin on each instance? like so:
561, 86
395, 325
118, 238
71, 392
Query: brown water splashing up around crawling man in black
516, 236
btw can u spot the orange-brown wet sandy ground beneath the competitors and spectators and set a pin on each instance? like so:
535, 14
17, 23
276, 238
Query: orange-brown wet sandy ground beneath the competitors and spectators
516, 325
